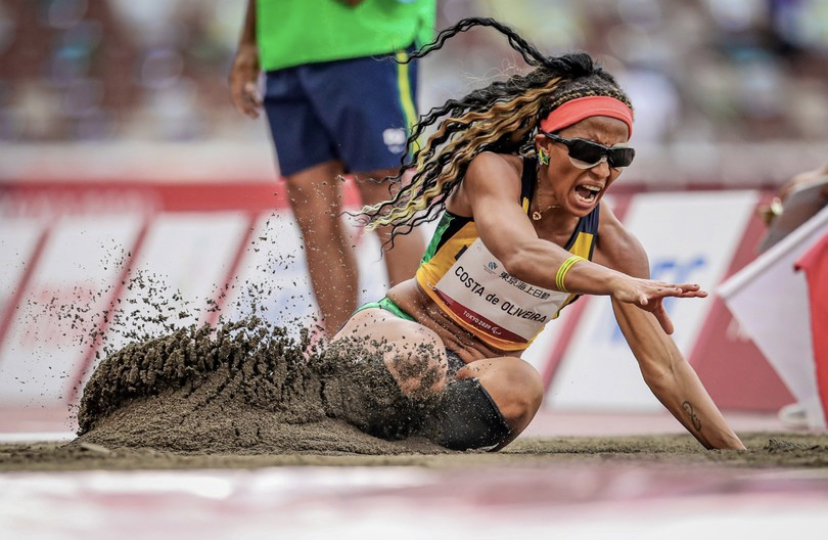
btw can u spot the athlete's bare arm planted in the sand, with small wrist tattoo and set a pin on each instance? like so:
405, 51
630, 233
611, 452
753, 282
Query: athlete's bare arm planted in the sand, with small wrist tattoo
665, 370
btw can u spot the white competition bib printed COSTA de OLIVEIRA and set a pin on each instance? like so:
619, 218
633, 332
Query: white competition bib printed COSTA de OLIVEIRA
479, 291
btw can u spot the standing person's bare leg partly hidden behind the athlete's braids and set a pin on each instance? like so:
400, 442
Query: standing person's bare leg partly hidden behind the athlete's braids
404, 258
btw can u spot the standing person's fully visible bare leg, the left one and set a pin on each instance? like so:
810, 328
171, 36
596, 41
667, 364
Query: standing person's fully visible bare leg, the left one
316, 199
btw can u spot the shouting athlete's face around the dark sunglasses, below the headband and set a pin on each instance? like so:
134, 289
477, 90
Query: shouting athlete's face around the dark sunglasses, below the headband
575, 188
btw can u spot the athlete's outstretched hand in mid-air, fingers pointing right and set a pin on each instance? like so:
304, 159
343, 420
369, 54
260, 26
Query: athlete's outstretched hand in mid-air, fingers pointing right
649, 295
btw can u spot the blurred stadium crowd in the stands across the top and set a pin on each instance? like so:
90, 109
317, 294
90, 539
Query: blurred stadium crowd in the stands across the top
732, 90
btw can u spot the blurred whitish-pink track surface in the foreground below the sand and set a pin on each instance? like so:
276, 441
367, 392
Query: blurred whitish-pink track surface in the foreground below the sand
401, 503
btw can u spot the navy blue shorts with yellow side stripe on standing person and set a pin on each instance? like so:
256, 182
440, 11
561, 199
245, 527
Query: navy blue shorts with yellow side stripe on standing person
358, 112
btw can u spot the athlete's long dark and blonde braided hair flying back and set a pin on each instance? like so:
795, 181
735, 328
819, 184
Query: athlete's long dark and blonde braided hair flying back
502, 117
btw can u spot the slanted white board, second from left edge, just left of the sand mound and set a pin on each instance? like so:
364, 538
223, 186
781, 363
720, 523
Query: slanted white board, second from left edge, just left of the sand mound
66, 299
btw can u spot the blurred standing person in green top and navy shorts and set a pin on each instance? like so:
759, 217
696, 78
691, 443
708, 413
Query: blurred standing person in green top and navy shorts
337, 103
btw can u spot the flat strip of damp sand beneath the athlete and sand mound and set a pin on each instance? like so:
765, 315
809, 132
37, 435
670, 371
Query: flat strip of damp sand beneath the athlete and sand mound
764, 451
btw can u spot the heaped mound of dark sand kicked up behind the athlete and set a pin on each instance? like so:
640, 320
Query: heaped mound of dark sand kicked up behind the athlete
248, 386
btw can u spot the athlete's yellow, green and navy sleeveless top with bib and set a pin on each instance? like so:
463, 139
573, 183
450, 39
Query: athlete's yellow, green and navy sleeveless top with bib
471, 286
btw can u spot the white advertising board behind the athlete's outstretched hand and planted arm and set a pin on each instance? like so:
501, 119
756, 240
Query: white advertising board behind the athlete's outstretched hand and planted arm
689, 237
